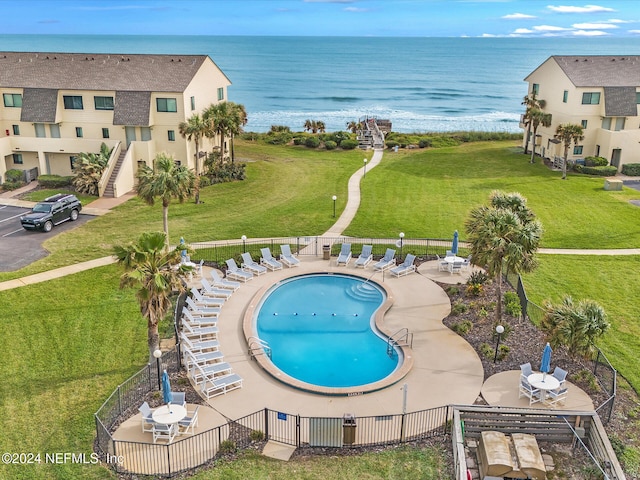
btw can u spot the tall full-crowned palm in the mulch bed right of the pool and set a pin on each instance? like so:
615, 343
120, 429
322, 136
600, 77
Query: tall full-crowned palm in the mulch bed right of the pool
504, 237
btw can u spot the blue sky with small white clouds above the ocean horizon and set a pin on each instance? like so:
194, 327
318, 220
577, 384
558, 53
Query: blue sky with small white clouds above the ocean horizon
381, 18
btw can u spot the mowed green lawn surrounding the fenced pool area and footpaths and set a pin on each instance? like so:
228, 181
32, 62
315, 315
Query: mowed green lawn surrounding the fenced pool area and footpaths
70, 342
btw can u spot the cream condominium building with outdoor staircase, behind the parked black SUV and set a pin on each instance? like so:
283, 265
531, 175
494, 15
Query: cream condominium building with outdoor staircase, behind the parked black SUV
56, 105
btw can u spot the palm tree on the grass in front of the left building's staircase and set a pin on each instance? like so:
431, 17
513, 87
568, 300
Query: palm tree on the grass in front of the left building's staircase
165, 180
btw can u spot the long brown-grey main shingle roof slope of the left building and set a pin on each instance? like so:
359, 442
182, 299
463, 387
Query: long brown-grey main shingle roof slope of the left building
81, 71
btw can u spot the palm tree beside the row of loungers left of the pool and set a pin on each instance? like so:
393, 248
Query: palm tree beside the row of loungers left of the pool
150, 269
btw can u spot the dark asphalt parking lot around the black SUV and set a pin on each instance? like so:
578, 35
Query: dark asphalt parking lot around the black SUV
19, 247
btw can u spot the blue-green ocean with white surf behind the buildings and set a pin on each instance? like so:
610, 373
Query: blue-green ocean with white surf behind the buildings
421, 84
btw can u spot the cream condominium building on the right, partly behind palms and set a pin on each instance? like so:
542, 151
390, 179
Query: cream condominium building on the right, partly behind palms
600, 93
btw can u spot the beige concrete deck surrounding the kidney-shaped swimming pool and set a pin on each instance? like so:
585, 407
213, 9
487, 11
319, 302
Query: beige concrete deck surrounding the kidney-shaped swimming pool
446, 368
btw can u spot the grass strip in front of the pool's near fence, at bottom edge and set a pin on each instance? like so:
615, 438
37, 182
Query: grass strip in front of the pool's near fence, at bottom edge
401, 463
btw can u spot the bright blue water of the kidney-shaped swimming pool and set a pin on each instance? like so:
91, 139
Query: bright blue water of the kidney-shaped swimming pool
320, 329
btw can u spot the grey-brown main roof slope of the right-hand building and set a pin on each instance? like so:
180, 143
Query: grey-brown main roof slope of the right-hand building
601, 70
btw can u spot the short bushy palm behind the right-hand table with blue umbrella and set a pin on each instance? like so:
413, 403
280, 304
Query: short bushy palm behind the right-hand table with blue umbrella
575, 327
